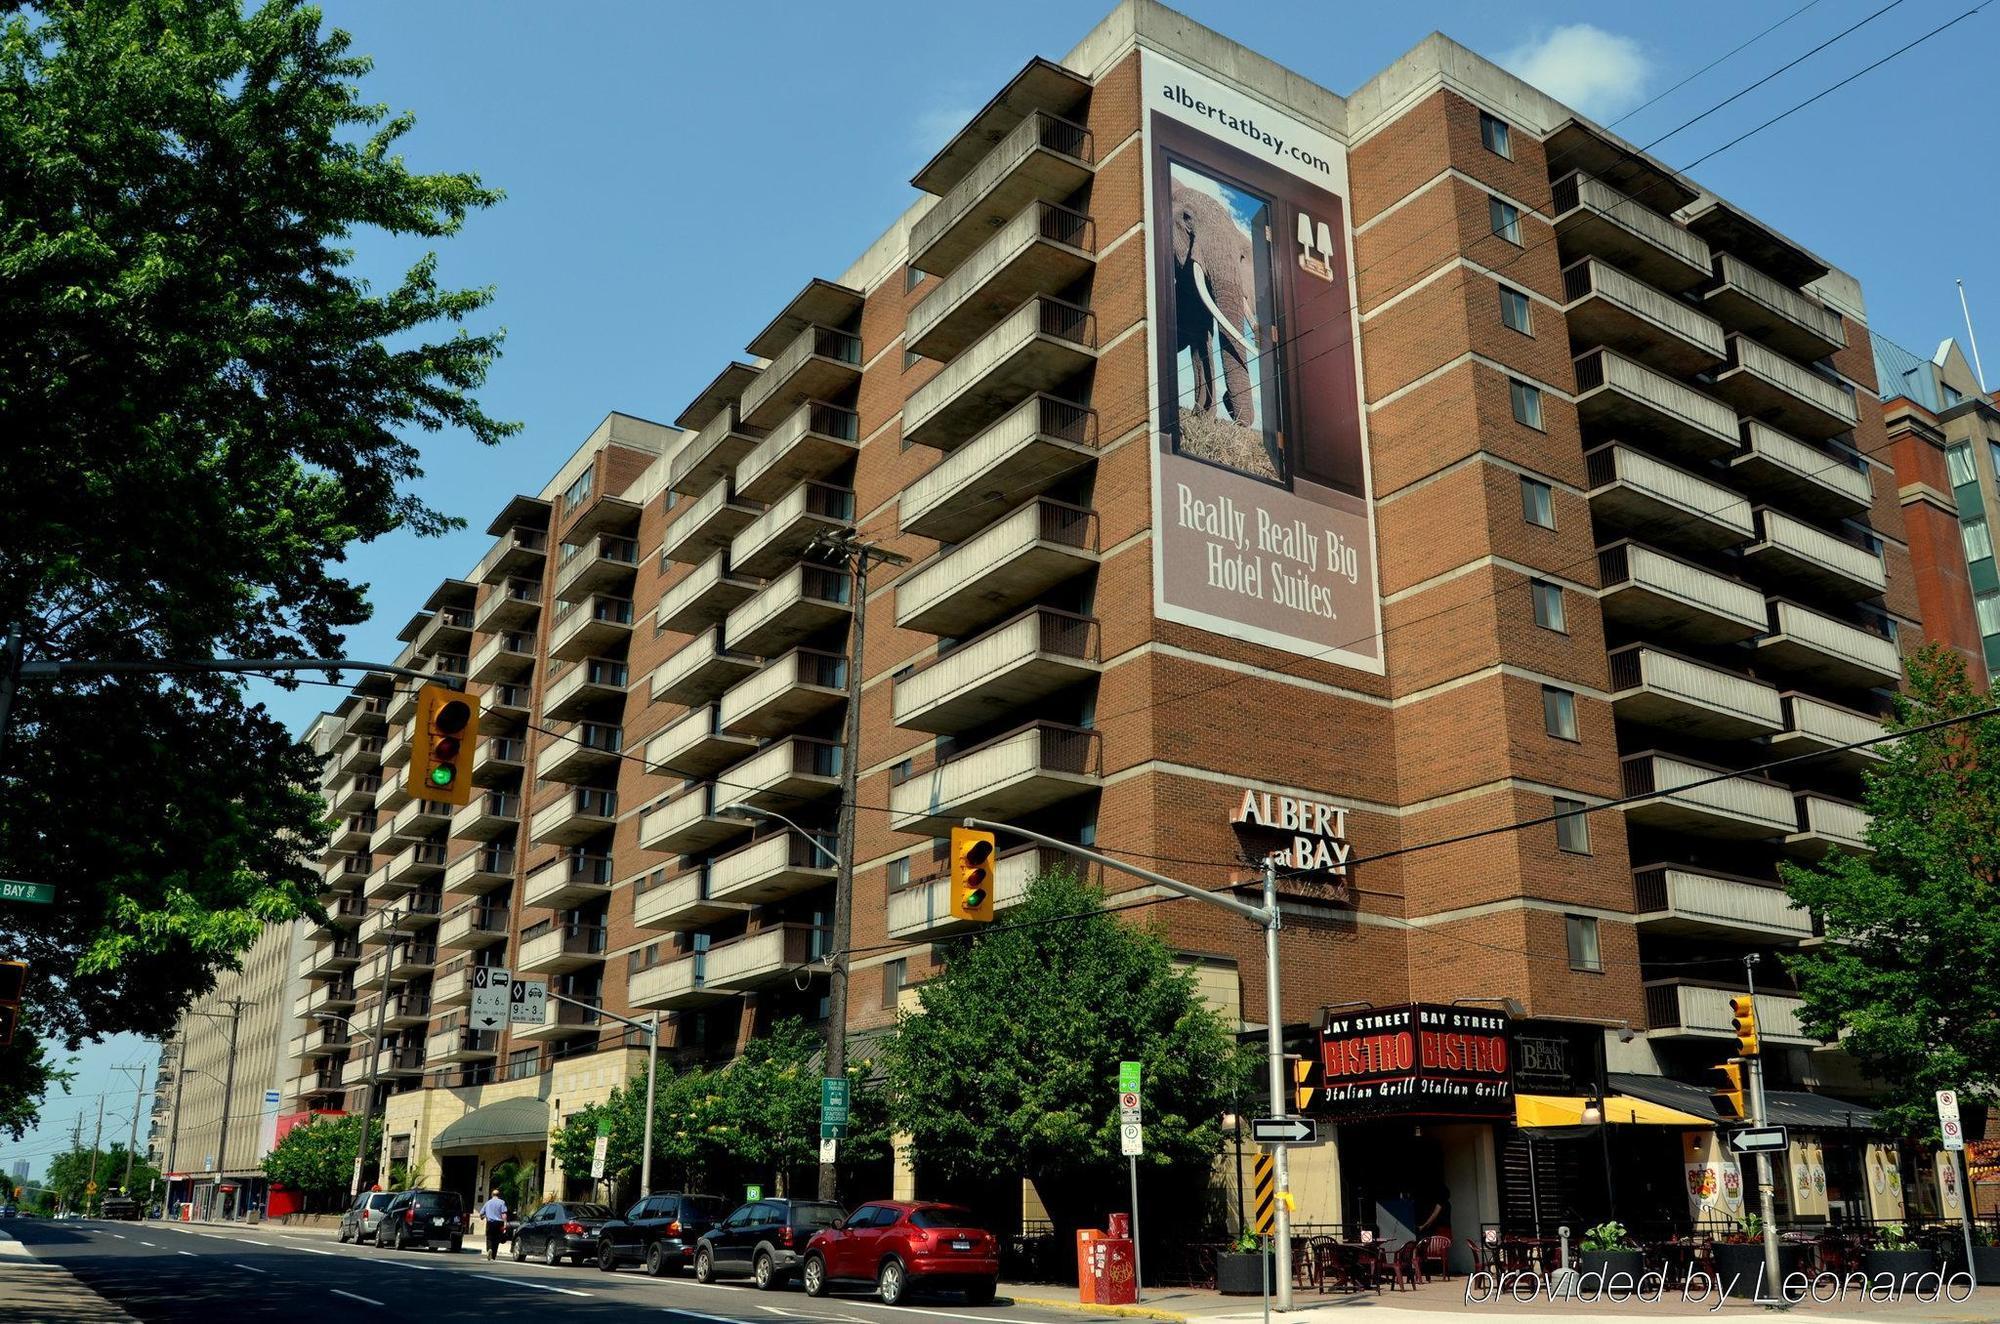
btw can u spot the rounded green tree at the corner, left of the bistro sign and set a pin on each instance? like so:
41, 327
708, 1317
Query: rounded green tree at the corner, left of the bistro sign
1009, 1065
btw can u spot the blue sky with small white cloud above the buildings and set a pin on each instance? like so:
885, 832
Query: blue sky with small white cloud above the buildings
675, 173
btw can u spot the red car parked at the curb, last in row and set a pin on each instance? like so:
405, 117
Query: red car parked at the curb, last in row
905, 1247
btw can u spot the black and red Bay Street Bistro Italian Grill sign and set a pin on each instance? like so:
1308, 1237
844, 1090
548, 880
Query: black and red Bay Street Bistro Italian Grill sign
1417, 1061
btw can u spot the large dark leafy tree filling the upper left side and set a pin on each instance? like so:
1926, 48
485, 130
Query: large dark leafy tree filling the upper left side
203, 407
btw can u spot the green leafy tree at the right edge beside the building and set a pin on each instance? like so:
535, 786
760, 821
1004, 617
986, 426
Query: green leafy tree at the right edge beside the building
1911, 973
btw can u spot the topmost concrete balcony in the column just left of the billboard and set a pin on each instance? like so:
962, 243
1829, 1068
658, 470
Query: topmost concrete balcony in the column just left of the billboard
1045, 159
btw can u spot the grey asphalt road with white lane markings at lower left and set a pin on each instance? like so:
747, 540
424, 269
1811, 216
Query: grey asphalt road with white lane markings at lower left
207, 1275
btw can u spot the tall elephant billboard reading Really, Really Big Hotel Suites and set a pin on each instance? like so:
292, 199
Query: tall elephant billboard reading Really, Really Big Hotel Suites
1263, 521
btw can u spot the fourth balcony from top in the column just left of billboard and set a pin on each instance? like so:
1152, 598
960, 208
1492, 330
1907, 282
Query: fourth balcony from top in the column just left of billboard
1029, 451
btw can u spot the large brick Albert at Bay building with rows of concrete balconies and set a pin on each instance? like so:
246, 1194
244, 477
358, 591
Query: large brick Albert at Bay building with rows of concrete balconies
1535, 479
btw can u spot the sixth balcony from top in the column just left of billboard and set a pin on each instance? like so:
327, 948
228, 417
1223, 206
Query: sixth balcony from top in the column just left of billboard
1009, 669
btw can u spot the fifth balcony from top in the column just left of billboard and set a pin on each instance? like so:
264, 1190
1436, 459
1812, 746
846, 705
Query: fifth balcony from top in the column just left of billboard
999, 571
